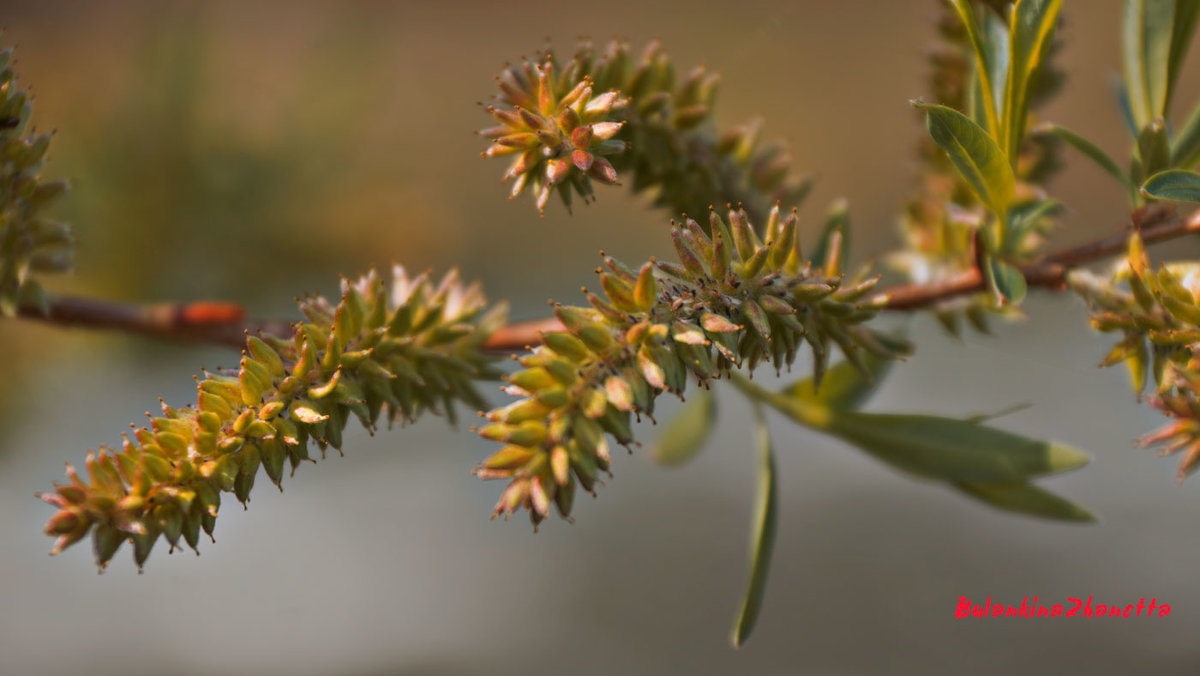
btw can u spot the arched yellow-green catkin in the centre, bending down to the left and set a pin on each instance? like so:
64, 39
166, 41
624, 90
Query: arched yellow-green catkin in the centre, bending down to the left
734, 302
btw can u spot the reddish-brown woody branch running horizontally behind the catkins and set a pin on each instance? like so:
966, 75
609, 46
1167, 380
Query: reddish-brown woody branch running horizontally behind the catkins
225, 325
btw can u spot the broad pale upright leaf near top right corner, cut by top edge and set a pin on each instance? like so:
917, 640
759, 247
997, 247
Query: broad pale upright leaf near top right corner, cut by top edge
1148, 34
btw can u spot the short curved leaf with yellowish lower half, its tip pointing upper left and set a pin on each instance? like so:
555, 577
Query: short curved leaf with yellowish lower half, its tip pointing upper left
975, 154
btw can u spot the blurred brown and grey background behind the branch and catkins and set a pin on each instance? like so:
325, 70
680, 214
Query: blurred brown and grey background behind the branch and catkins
255, 152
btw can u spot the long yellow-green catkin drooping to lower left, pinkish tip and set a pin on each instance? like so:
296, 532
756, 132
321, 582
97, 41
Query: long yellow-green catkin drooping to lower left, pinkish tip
395, 350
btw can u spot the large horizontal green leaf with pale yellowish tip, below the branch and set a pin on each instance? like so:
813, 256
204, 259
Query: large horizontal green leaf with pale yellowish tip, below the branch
952, 450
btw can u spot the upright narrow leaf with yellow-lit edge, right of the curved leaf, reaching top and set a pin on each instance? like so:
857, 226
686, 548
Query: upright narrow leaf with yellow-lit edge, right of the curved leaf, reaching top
1031, 37
